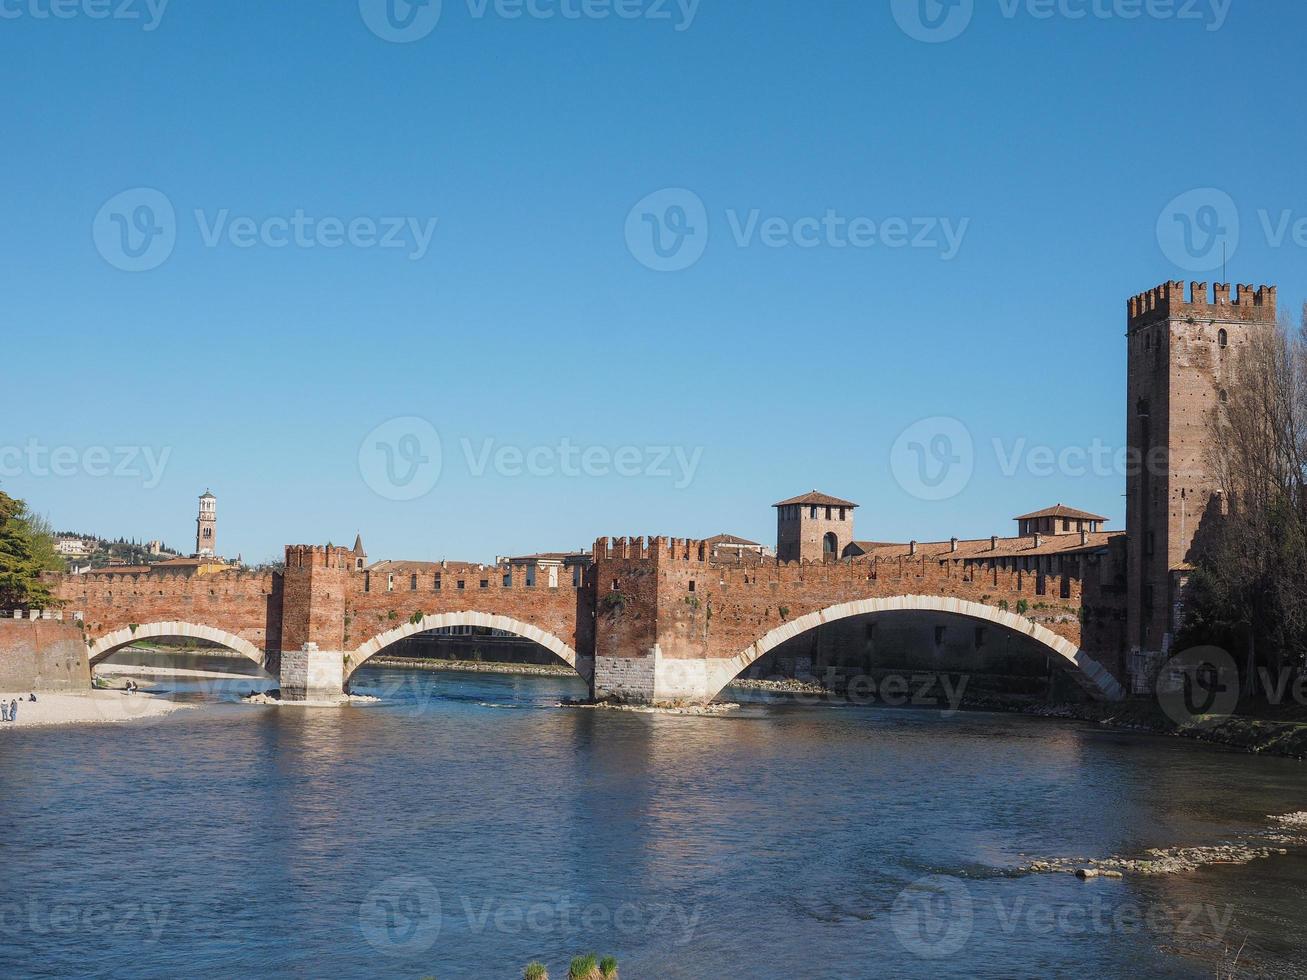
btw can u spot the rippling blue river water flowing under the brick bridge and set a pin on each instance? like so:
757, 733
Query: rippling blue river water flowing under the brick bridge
465, 826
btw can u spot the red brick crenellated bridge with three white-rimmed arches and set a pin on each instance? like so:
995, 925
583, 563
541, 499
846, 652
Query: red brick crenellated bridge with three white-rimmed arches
650, 621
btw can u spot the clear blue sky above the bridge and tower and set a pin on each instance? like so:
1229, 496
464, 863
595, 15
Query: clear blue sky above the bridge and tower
530, 319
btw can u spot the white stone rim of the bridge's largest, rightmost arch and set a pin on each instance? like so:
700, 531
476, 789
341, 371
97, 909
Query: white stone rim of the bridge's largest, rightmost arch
1088, 672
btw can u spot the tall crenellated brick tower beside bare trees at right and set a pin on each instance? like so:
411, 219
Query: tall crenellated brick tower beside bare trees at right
1181, 353
